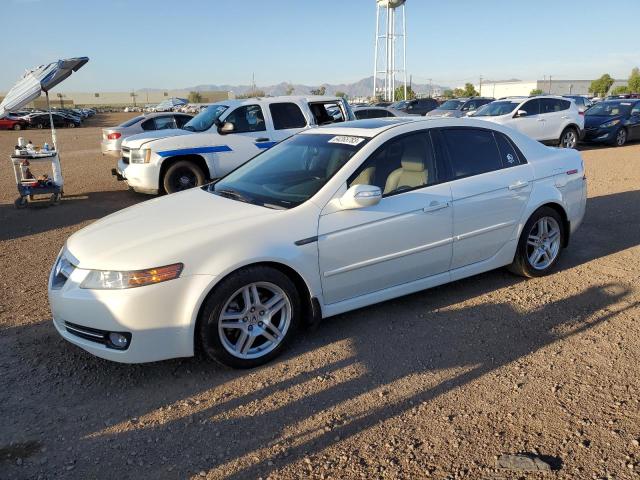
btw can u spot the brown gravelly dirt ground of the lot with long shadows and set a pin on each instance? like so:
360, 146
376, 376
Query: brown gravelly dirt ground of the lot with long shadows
434, 385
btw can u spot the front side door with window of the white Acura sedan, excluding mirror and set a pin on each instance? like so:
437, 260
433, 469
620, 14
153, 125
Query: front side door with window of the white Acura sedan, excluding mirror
405, 237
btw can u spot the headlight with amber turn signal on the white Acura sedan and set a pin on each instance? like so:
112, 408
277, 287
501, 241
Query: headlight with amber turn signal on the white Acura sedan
112, 280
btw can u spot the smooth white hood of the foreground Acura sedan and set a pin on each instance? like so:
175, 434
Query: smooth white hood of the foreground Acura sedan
162, 231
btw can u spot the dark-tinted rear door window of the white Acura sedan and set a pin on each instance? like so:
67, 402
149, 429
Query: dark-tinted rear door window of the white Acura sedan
472, 151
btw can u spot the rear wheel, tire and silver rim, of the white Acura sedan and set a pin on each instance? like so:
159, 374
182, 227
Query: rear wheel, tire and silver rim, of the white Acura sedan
540, 244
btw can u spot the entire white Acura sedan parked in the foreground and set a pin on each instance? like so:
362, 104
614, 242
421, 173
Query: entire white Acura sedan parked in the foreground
330, 220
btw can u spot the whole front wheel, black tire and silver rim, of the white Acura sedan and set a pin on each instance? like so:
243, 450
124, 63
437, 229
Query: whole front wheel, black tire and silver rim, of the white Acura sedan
249, 318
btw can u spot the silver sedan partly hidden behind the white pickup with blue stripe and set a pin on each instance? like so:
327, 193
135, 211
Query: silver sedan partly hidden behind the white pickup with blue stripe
112, 137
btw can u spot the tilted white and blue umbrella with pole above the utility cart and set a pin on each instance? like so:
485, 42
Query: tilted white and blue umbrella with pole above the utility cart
38, 80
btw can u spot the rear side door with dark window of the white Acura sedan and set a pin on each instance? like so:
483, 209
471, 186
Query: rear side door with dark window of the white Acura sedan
490, 189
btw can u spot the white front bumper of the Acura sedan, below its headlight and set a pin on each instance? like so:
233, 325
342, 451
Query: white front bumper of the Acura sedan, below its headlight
160, 319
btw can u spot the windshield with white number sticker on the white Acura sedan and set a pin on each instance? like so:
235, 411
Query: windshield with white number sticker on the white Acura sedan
291, 172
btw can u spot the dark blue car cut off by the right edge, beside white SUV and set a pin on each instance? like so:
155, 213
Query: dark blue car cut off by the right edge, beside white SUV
613, 121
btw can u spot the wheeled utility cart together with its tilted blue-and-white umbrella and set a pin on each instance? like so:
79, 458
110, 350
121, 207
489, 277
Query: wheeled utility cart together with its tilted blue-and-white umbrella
32, 84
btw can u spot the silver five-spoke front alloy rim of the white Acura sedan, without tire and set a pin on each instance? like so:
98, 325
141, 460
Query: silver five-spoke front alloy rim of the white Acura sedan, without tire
254, 320
